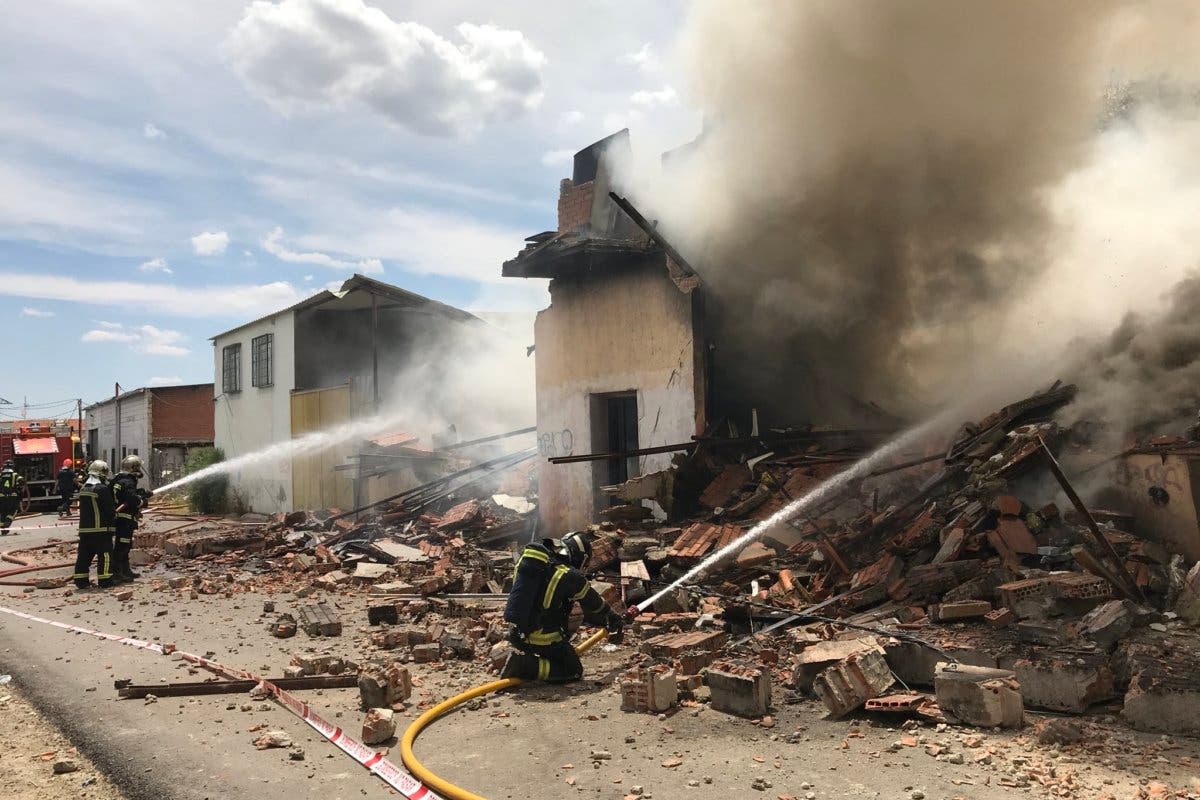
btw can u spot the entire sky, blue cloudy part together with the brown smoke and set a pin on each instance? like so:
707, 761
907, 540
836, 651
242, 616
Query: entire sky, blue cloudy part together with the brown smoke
913, 199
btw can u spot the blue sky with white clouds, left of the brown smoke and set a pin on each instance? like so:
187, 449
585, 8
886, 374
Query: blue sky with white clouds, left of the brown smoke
175, 169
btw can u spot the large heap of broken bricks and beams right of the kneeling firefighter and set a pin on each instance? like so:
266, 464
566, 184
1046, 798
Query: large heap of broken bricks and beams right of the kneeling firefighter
965, 567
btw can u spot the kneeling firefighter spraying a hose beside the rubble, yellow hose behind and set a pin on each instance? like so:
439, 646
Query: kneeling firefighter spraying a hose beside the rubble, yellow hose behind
547, 587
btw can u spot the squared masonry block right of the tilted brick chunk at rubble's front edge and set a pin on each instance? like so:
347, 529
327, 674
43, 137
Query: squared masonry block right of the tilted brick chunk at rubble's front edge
980, 696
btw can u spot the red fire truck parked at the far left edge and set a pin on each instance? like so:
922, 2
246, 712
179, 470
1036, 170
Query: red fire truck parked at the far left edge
39, 448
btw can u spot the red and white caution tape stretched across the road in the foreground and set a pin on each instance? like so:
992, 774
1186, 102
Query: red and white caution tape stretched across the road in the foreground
394, 777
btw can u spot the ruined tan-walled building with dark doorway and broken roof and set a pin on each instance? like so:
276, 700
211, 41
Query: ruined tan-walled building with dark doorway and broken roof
634, 356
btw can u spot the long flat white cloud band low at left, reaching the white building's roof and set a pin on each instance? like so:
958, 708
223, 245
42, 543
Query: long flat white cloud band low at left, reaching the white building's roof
247, 300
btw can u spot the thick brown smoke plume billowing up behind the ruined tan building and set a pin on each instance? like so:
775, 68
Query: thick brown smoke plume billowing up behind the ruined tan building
884, 189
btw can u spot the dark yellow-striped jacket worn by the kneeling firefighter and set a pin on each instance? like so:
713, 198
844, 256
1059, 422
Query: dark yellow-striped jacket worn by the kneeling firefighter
544, 592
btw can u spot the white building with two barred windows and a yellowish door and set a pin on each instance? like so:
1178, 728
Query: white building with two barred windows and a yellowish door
327, 360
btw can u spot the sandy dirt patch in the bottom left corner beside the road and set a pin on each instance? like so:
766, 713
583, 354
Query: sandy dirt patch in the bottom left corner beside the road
31, 747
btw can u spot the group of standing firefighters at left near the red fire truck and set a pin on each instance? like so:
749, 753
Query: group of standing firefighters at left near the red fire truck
110, 510
